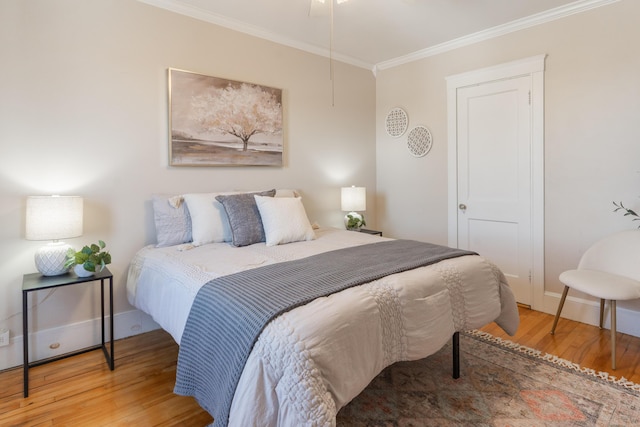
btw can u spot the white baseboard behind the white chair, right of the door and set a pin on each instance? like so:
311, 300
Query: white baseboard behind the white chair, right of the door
588, 311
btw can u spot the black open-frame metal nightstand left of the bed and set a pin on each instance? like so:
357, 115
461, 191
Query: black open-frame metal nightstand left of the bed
36, 282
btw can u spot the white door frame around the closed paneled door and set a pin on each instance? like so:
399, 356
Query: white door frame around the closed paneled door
533, 67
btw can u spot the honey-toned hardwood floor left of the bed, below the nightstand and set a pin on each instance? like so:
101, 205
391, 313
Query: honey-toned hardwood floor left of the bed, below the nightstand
82, 391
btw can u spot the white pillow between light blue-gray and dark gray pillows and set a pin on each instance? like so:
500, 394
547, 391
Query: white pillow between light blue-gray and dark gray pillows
209, 222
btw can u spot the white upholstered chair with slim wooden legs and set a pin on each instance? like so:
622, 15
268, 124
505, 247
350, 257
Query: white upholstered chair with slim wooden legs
609, 270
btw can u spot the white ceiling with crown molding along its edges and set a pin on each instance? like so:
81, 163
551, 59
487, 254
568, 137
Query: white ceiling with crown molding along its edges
377, 33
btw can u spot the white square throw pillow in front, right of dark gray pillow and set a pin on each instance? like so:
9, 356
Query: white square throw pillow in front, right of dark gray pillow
284, 220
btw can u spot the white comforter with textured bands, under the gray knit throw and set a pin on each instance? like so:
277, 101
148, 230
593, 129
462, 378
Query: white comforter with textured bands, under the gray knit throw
311, 361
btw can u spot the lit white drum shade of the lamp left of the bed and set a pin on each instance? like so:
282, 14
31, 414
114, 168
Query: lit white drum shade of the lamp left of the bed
54, 217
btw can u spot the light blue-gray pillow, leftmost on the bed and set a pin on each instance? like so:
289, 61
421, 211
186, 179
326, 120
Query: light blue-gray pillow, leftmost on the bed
173, 225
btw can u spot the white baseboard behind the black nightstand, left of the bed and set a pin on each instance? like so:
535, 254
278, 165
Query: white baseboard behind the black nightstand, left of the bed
65, 339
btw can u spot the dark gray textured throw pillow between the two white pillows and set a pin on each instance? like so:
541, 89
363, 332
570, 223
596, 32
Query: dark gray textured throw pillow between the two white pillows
244, 217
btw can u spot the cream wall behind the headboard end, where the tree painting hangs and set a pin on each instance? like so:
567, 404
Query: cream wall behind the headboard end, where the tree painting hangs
83, 111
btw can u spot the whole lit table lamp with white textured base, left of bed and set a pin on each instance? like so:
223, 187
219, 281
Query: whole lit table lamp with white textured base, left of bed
53, 218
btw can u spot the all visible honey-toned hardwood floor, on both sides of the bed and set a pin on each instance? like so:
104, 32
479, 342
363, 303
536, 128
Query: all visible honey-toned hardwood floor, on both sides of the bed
82, 391
